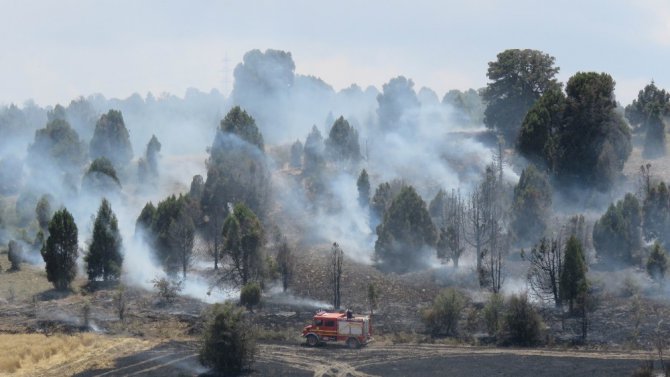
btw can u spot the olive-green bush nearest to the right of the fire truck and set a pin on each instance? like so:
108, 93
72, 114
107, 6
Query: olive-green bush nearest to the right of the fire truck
442, 318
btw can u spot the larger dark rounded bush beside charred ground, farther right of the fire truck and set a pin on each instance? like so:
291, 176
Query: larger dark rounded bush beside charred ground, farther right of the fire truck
522, 322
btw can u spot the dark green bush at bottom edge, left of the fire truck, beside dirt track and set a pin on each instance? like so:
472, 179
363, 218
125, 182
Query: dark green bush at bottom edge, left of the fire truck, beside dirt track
228, 343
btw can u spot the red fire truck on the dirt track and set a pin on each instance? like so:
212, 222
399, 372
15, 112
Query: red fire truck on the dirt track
335, 327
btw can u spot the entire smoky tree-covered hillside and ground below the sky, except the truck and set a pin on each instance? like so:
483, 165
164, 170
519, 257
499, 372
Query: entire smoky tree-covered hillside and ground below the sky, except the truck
530, 214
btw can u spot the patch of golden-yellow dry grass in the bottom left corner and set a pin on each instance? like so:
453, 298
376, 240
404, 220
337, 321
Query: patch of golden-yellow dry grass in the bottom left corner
62, 355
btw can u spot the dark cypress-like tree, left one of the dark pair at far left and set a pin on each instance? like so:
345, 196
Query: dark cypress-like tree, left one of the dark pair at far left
60, 252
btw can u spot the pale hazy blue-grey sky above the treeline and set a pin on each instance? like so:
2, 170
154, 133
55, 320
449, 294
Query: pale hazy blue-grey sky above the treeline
53, 51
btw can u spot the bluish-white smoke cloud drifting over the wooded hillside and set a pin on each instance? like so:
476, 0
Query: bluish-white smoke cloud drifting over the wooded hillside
402, 135
